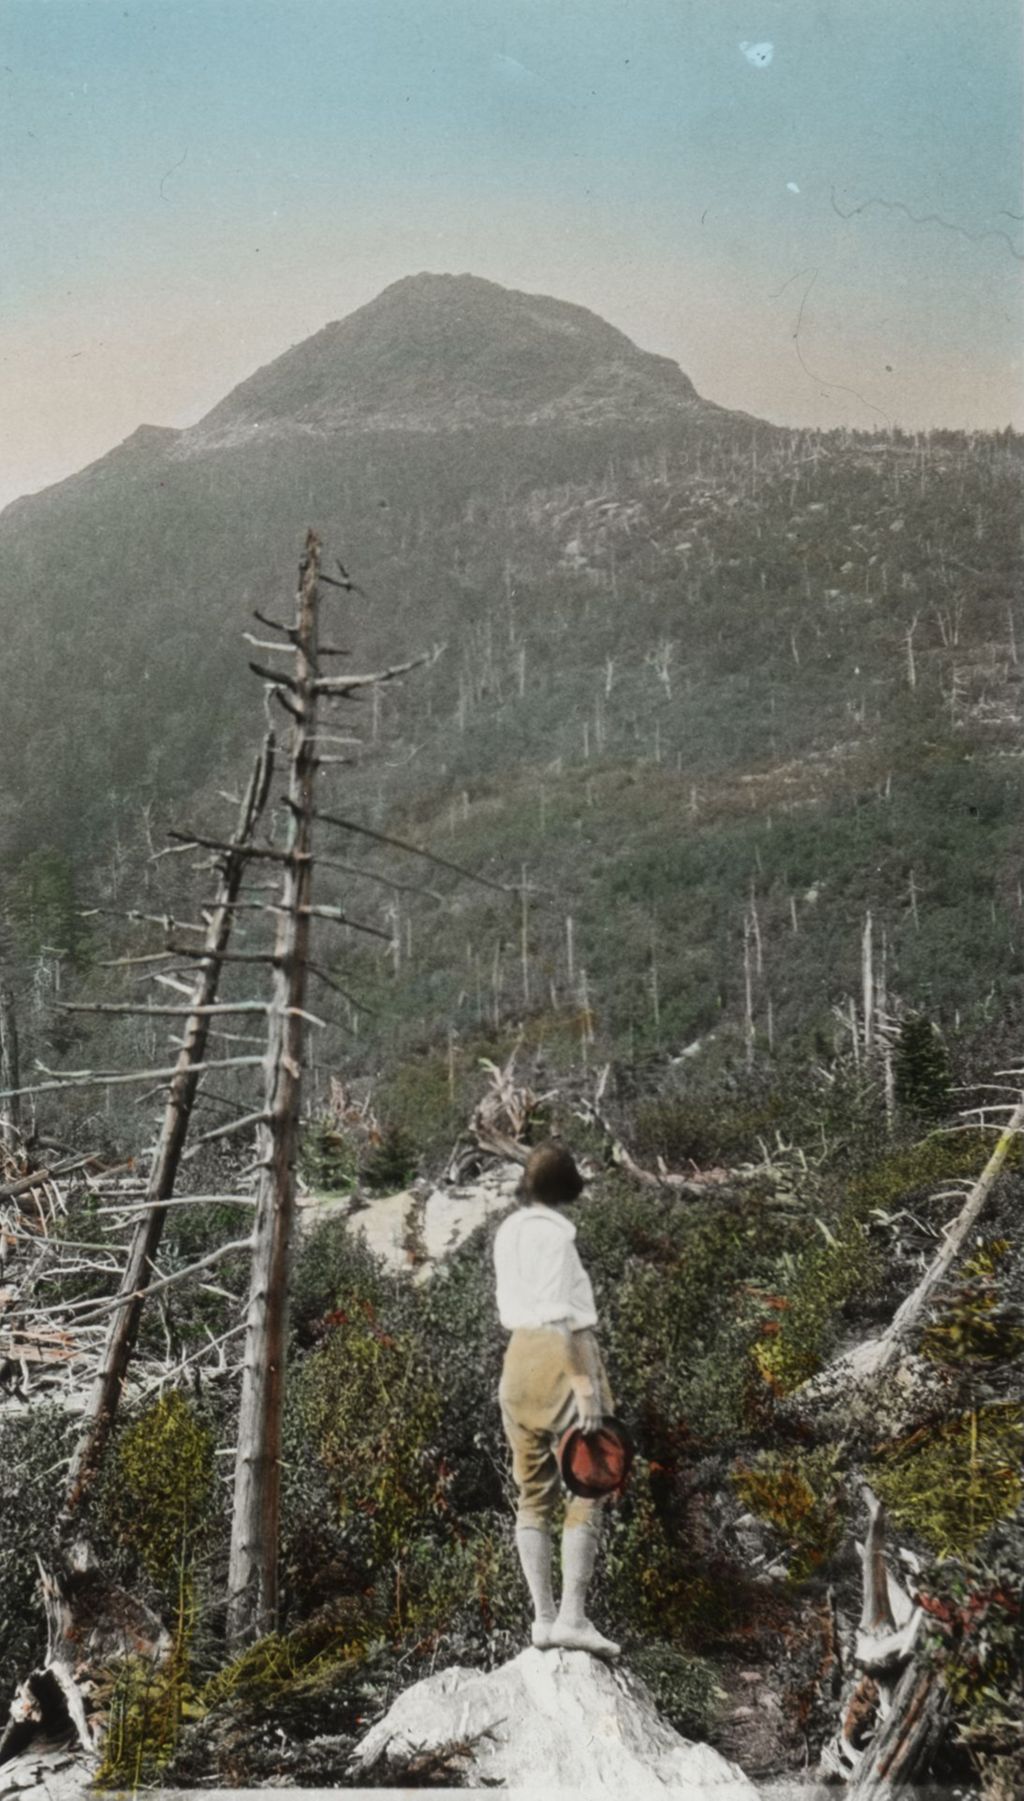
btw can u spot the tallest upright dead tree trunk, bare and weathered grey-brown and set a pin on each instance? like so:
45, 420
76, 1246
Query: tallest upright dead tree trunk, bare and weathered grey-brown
253, 1570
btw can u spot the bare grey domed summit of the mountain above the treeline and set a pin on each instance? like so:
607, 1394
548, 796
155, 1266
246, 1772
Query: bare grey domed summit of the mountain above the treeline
444, 352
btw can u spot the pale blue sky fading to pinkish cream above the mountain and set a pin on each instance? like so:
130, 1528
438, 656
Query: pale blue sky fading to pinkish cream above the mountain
190, 186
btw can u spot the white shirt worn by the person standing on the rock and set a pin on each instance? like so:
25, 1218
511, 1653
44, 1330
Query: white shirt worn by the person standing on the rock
541, 1280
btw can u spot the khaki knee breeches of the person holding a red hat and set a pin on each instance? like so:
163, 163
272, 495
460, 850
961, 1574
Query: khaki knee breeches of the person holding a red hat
537, 1407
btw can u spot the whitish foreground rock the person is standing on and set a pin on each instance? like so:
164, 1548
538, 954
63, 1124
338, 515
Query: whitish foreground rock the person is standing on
555, 1721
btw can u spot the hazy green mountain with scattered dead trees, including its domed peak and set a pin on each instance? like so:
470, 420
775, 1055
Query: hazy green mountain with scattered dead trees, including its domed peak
690, 660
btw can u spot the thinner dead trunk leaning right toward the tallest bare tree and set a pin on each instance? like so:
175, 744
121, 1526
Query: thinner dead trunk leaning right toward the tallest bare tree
161, 1186
